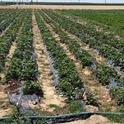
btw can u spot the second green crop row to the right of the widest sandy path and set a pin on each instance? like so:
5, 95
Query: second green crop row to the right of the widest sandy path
103, 73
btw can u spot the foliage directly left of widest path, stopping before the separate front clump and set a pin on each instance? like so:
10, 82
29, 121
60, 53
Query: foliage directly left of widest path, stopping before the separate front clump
24, 65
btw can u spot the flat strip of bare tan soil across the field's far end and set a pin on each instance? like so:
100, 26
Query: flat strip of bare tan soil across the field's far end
64, 7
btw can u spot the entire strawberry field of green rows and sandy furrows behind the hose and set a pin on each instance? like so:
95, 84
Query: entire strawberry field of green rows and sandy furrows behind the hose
56, 62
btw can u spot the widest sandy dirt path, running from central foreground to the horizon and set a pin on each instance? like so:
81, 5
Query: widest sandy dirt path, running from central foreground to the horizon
45, 76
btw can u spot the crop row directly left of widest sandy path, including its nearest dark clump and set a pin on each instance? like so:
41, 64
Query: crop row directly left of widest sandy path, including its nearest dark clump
24, 67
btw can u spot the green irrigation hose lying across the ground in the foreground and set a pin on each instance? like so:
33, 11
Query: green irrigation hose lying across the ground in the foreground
61, 117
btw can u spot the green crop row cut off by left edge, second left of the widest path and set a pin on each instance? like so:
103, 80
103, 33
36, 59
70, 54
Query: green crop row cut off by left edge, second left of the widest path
7, 39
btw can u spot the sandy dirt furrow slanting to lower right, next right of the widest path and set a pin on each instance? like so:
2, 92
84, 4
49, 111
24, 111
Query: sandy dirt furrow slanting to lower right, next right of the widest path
102, 93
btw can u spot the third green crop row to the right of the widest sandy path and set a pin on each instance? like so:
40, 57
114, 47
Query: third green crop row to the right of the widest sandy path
82, 32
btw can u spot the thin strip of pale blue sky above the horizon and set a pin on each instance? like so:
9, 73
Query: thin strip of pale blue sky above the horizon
91, 1
